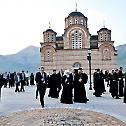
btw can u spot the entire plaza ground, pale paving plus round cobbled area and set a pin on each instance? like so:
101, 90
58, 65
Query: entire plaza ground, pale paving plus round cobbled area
22, 109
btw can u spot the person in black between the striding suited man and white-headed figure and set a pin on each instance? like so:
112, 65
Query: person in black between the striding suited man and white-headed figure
53, 84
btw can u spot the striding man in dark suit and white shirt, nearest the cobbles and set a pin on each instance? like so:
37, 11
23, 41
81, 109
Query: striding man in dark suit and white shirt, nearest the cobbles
41, 80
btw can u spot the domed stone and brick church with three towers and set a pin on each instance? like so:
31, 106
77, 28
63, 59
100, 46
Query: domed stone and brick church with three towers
72, 48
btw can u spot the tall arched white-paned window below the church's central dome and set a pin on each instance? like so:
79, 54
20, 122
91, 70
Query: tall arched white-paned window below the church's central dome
76, 39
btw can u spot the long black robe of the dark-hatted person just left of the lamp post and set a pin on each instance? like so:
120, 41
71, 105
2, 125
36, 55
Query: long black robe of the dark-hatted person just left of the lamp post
79, 88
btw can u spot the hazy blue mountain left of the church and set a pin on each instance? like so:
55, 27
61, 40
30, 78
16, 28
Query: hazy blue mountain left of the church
26, 59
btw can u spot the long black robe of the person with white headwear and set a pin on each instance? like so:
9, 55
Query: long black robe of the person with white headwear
67, 83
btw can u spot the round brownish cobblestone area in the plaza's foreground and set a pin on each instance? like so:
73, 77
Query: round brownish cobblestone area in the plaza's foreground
59, 117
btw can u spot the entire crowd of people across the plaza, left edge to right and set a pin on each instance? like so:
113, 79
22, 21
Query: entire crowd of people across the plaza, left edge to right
71, 84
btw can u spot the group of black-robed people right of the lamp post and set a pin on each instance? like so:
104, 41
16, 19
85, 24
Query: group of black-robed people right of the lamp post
115, 81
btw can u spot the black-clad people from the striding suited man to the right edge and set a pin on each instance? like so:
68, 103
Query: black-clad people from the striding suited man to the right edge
73, 84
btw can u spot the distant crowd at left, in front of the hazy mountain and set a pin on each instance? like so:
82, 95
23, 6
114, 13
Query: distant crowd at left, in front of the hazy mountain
17, 80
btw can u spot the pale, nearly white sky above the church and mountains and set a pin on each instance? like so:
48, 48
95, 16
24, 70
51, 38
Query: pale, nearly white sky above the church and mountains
22, 22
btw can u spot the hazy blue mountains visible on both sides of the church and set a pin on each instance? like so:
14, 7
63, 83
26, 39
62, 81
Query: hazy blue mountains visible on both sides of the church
29, 59
